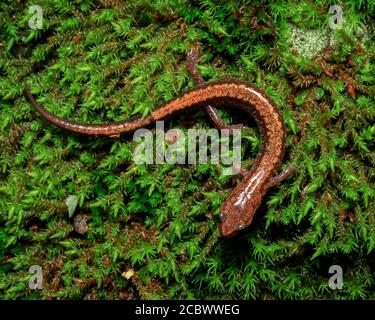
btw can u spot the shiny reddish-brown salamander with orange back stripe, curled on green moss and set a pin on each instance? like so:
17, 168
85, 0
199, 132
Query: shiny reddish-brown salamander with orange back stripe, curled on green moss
240, 206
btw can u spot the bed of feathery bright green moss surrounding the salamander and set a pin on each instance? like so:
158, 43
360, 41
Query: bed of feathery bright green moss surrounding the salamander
152, 230
